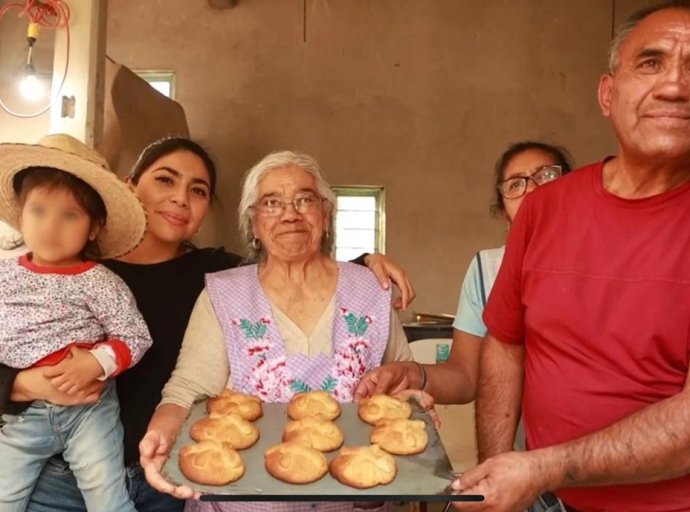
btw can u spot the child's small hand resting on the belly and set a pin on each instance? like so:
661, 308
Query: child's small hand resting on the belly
75, 373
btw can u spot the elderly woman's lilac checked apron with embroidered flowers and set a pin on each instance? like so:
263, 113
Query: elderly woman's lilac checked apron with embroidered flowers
259, 364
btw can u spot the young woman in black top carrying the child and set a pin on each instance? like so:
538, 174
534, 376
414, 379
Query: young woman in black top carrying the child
175, 179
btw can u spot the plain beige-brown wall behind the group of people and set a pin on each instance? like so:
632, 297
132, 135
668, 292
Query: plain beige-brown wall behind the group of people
419, 96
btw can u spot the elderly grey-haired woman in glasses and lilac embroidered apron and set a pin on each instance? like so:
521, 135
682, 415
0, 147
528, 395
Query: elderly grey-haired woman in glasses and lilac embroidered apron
303, 300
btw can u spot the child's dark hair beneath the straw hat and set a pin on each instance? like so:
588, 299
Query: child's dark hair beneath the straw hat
86, 197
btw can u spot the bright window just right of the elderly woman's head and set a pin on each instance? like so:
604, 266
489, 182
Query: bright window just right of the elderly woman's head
359, 221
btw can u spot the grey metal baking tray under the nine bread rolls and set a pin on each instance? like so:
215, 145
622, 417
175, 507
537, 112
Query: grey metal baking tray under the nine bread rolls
426, 475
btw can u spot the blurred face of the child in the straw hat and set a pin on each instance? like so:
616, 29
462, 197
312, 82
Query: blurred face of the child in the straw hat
54, 227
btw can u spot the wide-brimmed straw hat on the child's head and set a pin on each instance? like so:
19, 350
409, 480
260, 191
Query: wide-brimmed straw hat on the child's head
126, 220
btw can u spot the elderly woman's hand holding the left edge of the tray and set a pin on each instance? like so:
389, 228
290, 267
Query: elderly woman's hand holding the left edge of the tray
153, 450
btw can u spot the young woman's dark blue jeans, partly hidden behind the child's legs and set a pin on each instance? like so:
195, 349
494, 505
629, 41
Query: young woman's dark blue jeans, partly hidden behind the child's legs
57, 490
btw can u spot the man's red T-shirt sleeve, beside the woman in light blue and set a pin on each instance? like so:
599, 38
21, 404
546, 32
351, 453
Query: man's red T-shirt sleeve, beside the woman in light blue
504, 315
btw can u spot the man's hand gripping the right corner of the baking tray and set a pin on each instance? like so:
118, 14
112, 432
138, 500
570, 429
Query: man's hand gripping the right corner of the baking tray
509, 482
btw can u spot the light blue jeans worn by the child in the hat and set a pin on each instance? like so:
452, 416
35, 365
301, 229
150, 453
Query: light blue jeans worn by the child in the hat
90, 439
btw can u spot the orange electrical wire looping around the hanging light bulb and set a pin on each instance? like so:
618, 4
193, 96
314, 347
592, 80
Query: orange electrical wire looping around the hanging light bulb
48, 14
